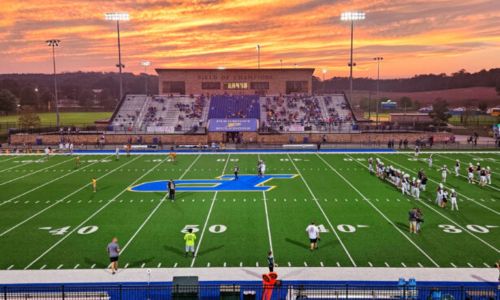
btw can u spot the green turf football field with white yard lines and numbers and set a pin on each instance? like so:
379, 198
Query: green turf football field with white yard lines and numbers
50, 218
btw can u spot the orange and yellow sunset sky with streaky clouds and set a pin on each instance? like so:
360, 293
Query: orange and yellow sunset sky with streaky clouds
413, 36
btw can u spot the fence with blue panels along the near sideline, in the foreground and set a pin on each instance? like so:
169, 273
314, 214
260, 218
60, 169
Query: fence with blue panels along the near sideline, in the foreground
247, 292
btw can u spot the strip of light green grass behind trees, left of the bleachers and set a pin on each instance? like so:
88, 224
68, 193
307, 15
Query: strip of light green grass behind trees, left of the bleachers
67, 118
